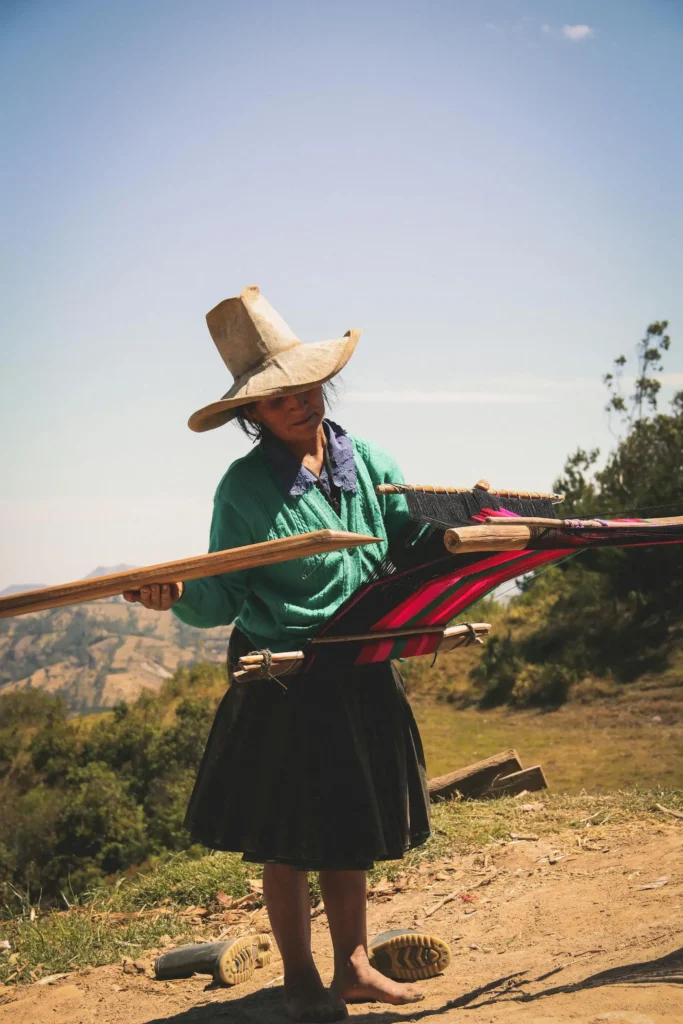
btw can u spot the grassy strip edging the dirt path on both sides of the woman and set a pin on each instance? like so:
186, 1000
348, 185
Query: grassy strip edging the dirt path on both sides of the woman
57, 943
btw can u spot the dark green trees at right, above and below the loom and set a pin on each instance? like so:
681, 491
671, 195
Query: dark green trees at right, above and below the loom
610, 611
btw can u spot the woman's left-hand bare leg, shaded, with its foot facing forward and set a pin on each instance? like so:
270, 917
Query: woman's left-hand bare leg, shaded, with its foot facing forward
307, 999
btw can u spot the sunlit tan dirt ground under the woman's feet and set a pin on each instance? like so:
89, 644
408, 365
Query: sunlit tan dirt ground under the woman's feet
550, 917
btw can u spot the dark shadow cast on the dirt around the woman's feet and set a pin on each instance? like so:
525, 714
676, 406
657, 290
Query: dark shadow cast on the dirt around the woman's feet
267, 1006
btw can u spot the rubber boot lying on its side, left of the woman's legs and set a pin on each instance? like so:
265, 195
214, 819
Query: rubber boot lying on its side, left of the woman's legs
230, 963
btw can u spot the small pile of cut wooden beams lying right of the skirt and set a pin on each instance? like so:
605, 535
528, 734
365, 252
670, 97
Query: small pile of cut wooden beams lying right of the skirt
501, 776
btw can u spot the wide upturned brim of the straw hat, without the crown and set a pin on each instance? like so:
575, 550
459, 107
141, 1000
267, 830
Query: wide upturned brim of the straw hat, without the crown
291, 372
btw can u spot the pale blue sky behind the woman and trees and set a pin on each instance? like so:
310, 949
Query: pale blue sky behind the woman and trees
491, 191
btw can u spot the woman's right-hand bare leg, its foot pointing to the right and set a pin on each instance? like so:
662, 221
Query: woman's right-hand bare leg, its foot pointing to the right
345, 894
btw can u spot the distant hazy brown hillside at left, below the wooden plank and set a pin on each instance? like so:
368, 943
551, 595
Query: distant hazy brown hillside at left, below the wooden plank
100, 654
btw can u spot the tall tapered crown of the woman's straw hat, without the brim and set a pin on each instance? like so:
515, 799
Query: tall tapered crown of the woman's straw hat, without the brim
248, 332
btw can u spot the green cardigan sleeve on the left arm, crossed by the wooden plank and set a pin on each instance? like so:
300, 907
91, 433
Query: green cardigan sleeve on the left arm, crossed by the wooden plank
218, 601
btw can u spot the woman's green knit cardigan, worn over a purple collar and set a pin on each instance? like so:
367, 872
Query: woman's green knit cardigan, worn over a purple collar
281, 607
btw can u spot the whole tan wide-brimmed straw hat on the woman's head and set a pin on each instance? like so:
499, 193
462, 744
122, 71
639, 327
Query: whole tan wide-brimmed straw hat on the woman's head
266, 357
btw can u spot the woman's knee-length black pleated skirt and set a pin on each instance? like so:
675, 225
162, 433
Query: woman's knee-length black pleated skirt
328, 775
